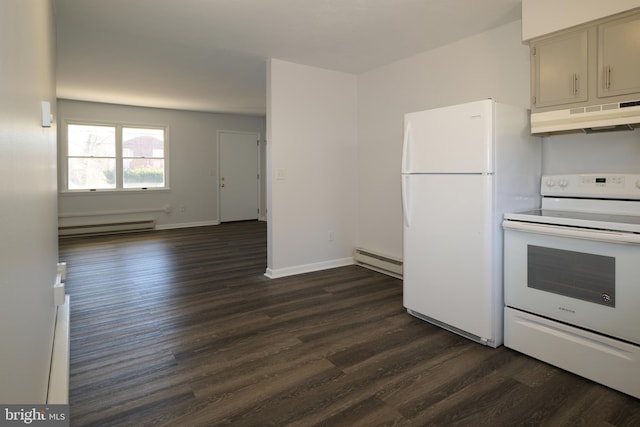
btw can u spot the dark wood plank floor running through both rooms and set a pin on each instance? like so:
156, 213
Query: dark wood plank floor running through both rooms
181, 328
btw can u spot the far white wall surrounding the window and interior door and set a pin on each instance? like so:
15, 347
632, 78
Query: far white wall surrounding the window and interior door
193, 165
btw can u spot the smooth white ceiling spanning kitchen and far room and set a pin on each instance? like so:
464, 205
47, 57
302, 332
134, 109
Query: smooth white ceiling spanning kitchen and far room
210, 55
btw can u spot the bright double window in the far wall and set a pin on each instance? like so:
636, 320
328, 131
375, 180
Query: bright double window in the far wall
115, 157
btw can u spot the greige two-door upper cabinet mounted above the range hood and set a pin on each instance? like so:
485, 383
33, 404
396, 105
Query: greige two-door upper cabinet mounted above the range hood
587, 65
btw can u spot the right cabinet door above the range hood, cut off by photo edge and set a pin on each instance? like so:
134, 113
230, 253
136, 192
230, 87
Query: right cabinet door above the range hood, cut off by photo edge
619, 57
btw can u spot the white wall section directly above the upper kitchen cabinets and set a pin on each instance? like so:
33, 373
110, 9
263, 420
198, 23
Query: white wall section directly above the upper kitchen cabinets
540, 17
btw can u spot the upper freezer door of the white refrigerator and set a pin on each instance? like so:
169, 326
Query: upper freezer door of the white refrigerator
456, 139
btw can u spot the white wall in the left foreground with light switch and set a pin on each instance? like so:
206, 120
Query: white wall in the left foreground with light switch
28, 235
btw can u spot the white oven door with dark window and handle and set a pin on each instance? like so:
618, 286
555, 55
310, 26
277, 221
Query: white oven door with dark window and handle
587, 278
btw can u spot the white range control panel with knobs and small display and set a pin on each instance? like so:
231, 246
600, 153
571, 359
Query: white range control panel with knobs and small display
605, 186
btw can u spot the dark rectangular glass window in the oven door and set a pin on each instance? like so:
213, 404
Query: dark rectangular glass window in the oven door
583, 276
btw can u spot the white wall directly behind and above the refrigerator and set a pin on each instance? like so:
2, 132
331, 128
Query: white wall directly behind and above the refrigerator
494, 64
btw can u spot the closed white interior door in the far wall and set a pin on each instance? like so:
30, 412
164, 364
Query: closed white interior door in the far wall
238, 175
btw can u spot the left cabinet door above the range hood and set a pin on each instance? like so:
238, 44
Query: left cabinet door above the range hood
559, 70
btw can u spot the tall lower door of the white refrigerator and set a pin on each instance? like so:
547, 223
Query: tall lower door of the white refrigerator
448, 253
